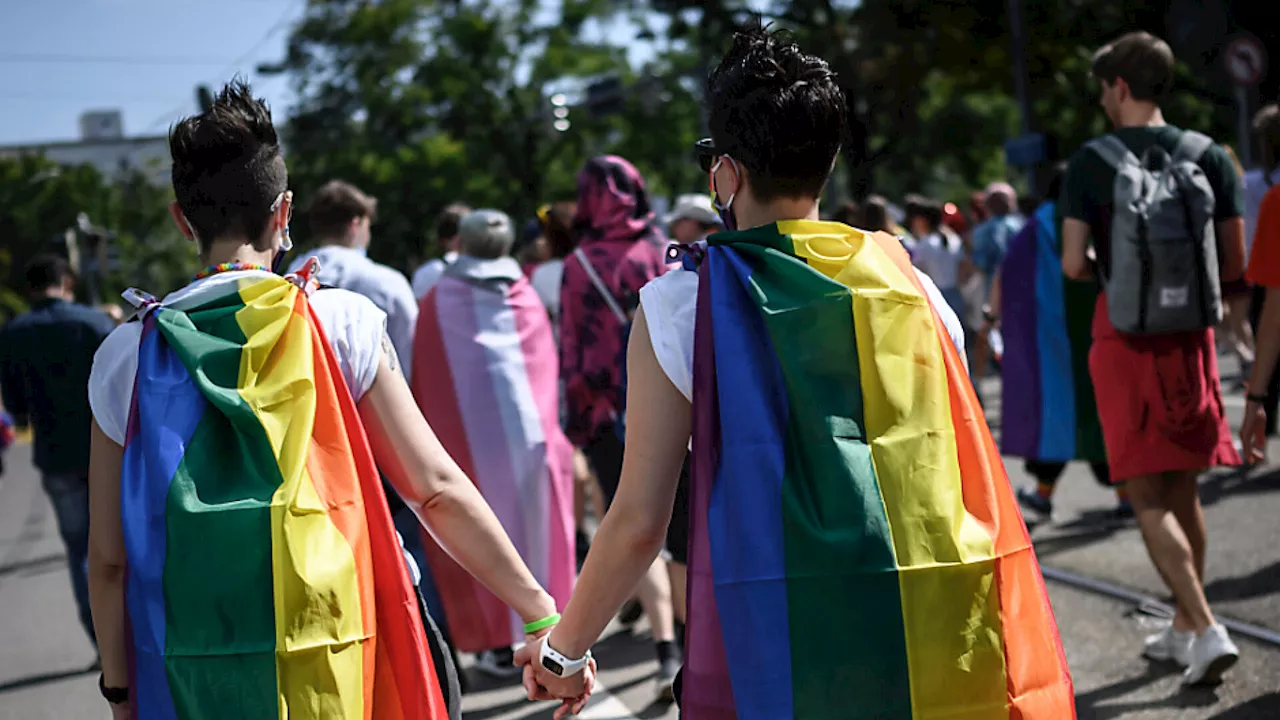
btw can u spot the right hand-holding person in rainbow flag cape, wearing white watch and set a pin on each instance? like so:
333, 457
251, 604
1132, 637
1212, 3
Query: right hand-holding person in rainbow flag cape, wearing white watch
856, 546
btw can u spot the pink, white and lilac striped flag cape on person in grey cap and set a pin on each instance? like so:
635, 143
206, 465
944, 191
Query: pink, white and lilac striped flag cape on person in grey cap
487, 377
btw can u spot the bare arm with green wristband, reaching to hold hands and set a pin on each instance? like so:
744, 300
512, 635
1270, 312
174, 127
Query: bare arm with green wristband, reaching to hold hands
442, 496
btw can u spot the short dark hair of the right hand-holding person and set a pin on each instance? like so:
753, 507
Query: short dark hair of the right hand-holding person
779, 112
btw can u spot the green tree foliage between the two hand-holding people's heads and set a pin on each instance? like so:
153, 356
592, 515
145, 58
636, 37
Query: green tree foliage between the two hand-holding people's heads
424, 103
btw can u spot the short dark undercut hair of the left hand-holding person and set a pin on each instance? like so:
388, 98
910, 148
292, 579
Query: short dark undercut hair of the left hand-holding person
227, 167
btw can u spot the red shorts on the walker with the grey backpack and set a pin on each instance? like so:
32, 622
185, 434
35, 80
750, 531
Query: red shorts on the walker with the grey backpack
1160, 400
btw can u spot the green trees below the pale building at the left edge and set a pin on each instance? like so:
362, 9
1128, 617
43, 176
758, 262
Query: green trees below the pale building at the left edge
40, 202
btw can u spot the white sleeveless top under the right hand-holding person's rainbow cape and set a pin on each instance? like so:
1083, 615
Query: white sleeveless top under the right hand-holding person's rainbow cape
670, 306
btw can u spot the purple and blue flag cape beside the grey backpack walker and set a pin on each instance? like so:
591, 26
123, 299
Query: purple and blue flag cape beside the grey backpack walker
1048, 405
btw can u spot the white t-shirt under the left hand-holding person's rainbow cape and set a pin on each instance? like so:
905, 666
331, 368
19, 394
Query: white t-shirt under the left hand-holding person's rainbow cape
354, 325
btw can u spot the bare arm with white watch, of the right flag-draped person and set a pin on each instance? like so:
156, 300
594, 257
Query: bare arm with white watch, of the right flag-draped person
633, 532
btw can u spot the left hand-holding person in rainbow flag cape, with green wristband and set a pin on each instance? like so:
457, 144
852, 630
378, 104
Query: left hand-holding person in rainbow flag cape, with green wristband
243, 558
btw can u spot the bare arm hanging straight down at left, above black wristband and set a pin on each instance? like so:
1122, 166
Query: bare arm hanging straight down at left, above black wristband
107, 557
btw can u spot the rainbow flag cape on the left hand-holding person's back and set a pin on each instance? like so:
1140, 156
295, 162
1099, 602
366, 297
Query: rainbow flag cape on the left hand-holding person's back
264, 575
